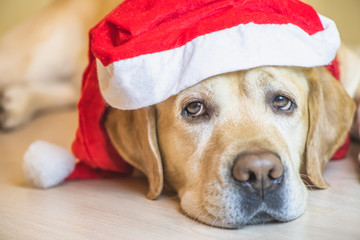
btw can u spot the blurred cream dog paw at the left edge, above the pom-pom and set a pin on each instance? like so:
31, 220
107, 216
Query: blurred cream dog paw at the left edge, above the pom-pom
15, 106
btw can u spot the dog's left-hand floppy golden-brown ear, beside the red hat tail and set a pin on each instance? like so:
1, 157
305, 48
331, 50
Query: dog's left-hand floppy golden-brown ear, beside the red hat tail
133, 134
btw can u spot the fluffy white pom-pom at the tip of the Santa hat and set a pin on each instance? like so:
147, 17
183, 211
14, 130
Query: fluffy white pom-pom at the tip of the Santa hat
46, 165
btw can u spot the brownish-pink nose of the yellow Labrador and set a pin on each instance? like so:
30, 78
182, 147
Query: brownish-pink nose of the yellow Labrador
258, 172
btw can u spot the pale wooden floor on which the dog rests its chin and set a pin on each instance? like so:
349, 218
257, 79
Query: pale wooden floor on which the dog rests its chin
118, 209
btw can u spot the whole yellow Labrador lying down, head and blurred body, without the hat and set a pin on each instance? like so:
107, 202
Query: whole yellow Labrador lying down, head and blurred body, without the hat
235, 147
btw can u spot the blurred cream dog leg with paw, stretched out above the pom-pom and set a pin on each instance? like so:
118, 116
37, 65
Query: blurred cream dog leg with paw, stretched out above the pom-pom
20, 102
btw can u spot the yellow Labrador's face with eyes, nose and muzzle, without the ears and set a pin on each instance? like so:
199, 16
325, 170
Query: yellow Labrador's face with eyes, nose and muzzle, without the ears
232, 146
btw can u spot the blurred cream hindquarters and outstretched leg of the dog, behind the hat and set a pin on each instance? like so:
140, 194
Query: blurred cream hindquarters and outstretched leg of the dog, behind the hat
43, 59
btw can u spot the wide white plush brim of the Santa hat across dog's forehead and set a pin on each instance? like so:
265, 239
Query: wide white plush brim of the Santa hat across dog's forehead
152, 78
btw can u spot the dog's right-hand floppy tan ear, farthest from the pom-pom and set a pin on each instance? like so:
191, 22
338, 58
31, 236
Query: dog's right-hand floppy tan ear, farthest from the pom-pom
331, 113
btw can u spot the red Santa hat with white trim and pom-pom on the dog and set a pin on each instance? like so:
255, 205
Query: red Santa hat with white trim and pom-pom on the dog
145, 51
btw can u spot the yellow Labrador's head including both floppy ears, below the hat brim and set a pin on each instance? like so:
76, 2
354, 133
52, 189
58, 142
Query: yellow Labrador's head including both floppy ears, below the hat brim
235, 146
